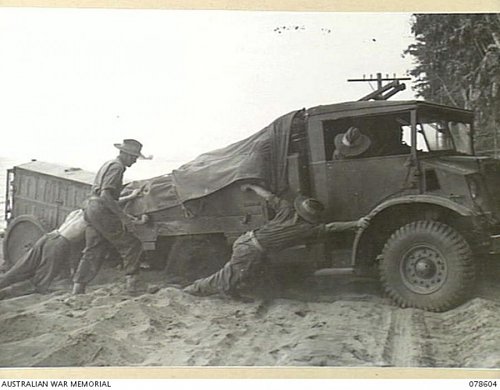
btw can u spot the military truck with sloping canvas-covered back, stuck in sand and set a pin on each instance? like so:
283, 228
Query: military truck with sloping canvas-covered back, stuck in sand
432, 203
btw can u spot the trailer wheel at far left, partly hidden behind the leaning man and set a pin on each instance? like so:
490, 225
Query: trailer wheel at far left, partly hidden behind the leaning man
21, 234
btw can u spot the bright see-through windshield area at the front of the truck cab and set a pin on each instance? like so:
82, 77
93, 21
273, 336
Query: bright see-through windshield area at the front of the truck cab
440, 135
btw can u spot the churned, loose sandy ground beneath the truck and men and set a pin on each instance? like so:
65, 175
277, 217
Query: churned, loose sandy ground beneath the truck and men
332, 322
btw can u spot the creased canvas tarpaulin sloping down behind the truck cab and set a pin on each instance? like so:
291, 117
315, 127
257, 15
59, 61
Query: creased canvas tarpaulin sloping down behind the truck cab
261, 156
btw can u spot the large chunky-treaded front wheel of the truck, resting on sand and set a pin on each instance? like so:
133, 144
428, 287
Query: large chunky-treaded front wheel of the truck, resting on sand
427, 265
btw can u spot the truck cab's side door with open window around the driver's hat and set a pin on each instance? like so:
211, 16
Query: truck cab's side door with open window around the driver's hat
352, 186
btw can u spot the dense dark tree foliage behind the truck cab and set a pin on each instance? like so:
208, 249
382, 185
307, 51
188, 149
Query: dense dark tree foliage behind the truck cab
457, 63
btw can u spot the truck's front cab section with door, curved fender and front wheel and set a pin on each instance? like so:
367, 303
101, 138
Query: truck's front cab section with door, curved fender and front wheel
432, 203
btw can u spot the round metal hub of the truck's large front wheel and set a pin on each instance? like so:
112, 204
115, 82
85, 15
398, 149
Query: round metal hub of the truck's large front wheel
423, 269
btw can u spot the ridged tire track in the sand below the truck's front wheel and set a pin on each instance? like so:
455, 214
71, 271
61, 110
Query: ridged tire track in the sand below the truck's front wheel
407, 342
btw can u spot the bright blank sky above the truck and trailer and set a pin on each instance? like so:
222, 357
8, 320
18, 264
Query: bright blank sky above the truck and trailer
75, 81
